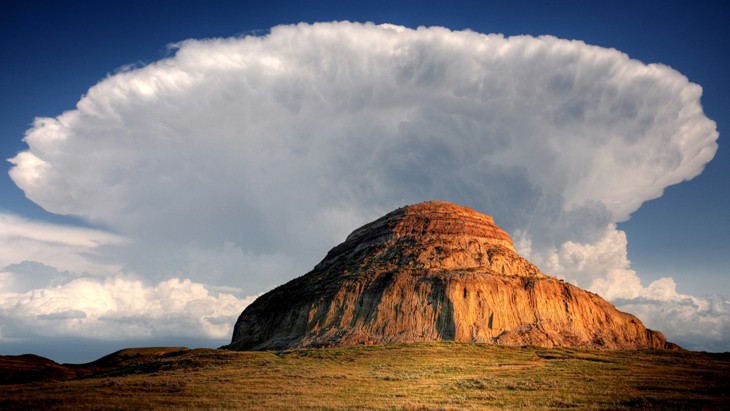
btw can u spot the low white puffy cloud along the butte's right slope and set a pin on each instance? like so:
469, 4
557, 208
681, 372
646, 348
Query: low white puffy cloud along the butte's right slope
603, 267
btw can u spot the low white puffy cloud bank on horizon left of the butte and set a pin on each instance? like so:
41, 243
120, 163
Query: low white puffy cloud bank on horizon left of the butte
120, 307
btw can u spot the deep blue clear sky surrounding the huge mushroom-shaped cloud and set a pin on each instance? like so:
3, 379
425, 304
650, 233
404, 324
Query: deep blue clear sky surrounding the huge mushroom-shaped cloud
51, 52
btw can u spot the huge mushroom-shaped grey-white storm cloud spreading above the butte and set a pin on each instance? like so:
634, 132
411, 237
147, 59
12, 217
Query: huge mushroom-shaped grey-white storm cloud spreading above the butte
261, 136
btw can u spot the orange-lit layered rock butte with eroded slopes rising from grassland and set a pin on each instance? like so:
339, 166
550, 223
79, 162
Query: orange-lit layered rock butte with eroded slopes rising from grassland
429, 272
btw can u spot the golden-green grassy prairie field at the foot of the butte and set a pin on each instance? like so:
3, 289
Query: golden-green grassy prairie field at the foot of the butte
421, 376
